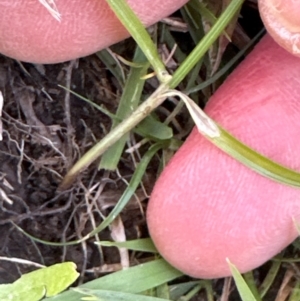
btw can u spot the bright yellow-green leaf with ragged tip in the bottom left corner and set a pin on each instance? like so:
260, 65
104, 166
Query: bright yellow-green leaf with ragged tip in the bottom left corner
35, 285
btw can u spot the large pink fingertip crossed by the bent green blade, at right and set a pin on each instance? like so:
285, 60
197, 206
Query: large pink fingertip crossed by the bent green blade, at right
207, 207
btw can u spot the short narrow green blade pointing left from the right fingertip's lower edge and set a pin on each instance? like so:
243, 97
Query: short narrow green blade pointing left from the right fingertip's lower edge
143, 245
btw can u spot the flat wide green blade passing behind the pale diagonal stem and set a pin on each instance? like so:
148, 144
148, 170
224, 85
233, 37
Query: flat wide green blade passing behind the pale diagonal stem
128, 103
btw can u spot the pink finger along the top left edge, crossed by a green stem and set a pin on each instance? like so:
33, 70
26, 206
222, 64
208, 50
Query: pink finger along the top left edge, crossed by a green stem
28, 32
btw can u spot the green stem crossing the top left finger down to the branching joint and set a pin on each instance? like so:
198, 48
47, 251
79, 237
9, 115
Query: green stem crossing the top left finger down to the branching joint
141, 36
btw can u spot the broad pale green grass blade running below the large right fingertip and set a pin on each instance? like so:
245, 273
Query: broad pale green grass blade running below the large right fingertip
132, 280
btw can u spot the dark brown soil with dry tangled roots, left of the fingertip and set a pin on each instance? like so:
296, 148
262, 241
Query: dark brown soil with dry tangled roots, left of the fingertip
45, 130
